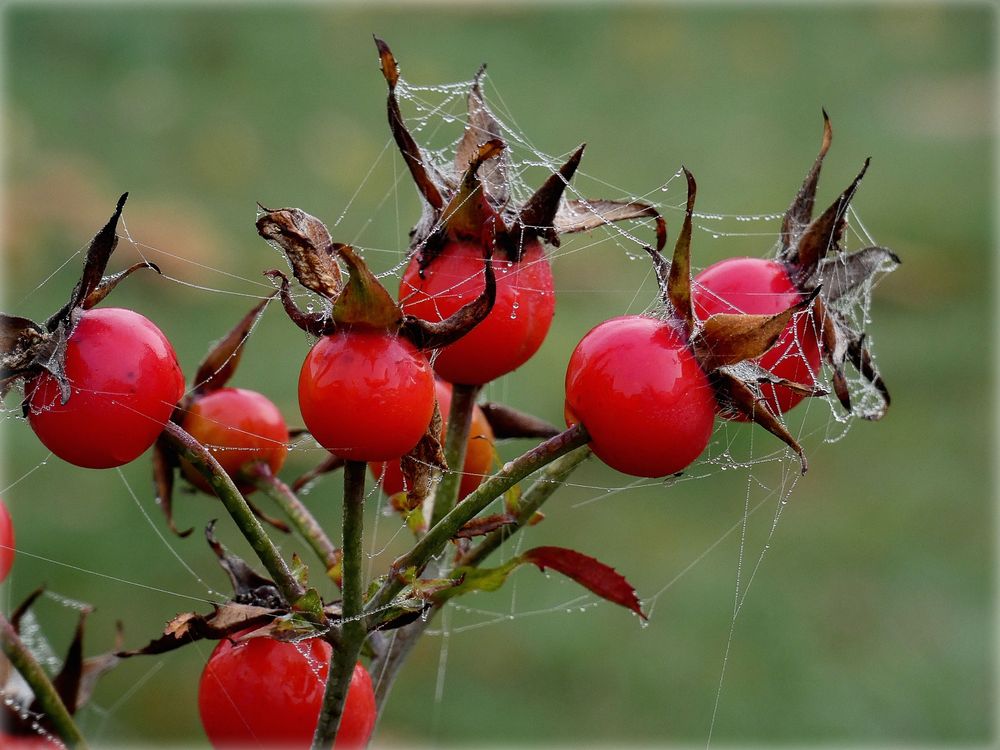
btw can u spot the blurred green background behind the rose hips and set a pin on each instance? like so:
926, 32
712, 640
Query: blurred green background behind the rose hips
870, 618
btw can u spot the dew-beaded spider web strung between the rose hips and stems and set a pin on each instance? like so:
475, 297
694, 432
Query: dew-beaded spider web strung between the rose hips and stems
610, 262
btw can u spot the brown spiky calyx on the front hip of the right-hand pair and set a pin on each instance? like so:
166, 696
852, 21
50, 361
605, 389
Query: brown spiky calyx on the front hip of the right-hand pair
727, 345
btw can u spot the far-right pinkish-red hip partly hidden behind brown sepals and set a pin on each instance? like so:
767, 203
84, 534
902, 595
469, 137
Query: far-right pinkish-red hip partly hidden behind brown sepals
757, 286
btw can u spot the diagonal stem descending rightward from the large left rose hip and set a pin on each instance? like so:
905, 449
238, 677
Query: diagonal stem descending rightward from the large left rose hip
203, 460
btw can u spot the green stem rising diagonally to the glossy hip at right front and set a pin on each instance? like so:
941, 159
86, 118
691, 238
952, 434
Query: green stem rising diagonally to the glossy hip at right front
435, 540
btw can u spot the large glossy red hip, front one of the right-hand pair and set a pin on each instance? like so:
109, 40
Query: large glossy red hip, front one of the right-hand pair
636, 387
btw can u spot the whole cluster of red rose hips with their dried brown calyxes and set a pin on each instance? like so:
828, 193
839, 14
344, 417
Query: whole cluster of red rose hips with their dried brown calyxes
744, 339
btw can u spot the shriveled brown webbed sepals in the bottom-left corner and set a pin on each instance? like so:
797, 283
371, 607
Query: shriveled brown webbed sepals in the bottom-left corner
74, 683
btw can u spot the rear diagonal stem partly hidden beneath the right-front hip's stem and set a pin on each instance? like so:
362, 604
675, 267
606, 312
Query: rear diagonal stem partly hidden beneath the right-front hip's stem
387, 664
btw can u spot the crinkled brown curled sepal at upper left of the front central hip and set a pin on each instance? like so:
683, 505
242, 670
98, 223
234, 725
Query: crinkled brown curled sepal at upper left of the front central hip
306, 243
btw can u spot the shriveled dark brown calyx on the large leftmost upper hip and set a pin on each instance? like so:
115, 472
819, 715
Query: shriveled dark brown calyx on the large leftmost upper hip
28, 348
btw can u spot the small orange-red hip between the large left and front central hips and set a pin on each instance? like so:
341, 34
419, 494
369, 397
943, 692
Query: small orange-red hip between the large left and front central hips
238, 426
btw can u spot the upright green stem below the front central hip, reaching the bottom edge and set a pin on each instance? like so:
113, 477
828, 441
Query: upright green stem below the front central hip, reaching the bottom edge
352, 629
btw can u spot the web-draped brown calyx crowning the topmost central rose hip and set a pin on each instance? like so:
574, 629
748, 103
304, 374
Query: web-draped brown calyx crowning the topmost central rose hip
544, 216
